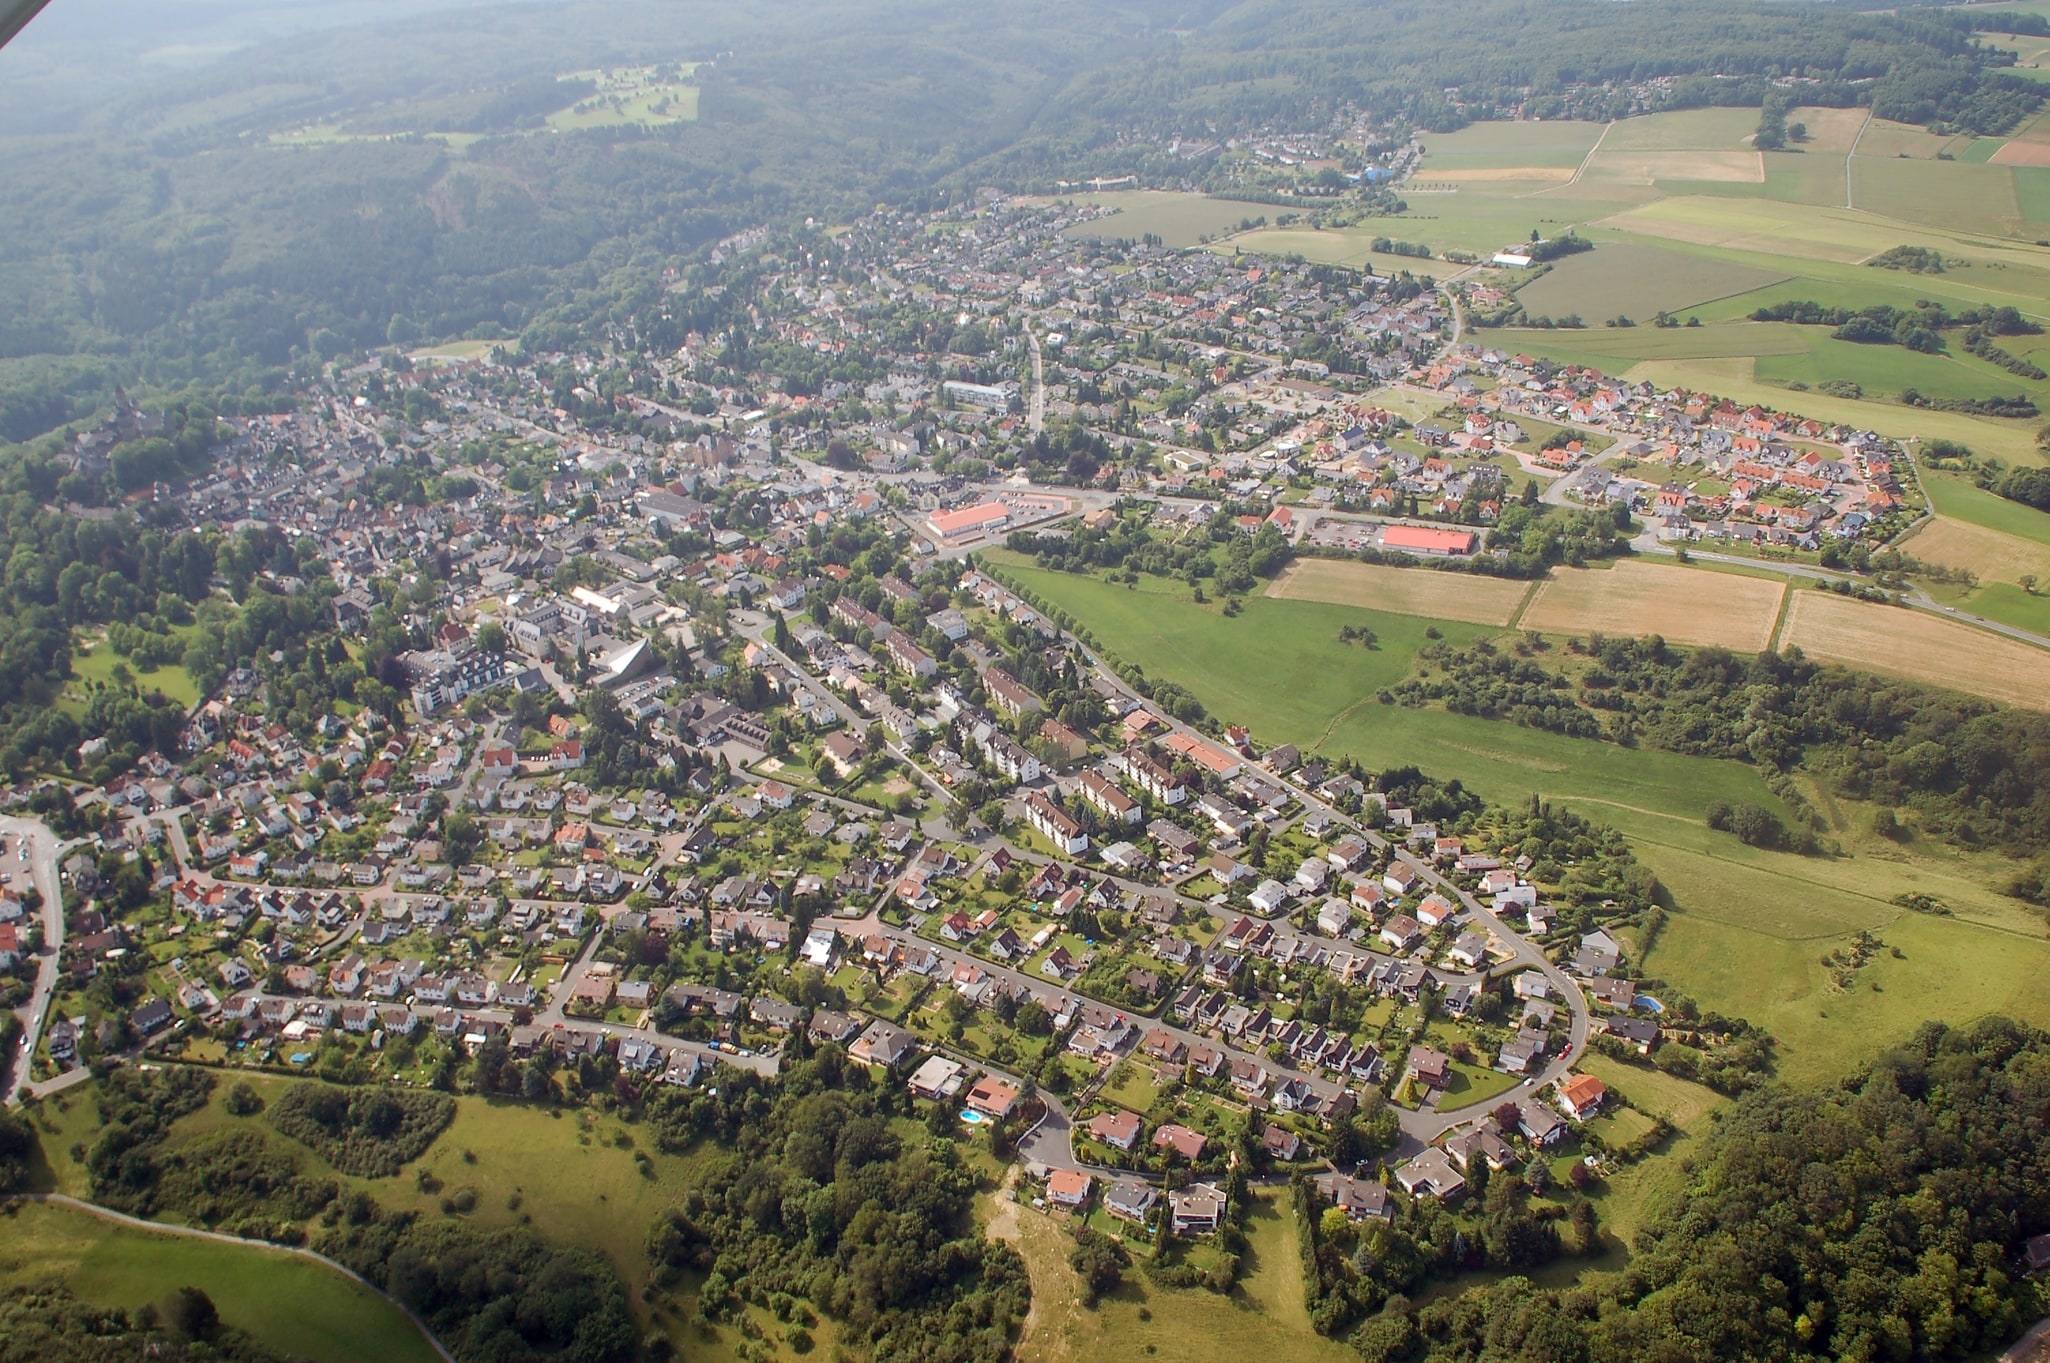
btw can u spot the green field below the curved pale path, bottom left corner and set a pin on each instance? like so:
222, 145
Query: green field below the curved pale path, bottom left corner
292, 1305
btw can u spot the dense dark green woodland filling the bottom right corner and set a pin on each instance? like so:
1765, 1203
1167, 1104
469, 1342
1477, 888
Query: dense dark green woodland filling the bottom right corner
1875, 1221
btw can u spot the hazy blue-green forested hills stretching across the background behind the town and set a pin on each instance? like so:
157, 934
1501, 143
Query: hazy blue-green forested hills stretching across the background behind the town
163, 239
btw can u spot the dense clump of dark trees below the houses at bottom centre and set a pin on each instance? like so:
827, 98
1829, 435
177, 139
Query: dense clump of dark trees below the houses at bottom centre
815, 1196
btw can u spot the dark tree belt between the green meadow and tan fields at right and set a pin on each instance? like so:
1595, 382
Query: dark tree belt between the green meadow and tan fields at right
1967, 770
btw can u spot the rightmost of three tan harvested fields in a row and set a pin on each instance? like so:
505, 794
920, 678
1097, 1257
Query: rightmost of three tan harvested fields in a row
1918, 647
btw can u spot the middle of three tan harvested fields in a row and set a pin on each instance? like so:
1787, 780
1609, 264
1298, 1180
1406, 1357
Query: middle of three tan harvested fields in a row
1686, 606
